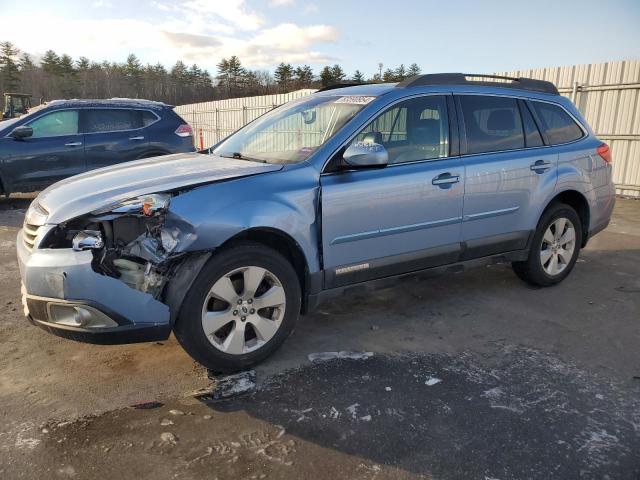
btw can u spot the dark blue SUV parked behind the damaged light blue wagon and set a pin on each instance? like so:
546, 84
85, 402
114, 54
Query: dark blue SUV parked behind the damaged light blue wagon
68, 137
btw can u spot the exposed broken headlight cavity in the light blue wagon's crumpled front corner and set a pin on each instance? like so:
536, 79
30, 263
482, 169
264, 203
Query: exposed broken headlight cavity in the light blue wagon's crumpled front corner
134, 241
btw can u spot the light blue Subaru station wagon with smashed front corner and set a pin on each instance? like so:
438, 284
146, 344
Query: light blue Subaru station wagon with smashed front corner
345, 188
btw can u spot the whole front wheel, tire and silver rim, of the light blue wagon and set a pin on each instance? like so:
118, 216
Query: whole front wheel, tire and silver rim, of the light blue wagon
241, 308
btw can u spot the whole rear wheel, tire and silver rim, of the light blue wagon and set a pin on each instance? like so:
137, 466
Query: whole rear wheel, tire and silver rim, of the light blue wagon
554, 249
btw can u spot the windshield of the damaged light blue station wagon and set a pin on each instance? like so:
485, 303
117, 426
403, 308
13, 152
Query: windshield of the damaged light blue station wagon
290, 134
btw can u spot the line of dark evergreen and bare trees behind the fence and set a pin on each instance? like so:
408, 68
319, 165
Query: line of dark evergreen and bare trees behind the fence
61, 76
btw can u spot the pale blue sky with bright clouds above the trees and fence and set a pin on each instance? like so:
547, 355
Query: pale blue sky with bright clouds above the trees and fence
439, 35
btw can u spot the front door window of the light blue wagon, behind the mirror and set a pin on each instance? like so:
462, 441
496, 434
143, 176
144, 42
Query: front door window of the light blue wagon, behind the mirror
411, 131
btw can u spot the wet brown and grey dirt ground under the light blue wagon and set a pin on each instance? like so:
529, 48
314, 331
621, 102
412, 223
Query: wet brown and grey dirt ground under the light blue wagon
474, 376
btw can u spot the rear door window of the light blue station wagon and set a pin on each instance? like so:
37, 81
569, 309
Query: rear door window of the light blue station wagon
492, 124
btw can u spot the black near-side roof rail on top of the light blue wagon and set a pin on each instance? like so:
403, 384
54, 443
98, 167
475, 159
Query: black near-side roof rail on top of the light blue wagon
479, 79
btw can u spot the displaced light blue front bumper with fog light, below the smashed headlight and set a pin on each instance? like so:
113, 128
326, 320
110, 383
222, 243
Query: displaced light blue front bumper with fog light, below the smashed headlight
59, 286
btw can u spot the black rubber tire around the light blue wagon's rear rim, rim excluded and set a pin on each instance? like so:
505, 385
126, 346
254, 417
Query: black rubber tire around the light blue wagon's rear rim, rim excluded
531, 270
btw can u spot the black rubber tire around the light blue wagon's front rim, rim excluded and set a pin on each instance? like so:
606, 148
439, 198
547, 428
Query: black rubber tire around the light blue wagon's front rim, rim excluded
189, 330
